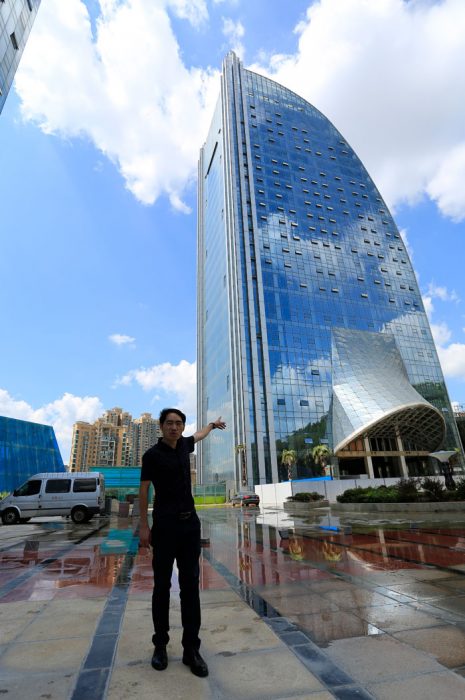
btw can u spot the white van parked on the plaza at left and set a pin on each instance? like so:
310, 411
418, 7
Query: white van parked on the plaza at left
78, 494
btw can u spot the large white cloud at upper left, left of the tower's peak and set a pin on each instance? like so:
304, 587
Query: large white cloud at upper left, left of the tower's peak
126, 89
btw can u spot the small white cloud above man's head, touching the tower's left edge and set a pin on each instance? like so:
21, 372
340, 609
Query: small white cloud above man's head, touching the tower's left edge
178, 382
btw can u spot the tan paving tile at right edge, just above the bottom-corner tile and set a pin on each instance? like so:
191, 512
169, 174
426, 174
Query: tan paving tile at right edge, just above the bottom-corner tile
446, 643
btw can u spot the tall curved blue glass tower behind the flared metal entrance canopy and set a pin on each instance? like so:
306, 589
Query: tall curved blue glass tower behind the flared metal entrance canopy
294, 242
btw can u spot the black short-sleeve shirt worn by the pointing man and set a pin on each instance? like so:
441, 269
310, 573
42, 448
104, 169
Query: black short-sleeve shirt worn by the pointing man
169, 471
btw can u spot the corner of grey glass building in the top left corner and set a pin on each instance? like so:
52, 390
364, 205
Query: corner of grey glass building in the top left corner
16, 20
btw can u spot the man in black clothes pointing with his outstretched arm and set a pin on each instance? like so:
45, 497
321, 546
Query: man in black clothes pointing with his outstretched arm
175, 534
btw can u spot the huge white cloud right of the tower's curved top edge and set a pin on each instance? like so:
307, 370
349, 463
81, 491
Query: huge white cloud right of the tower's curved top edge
389, 75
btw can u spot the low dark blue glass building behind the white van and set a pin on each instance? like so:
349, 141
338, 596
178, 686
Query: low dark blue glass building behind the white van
26, 449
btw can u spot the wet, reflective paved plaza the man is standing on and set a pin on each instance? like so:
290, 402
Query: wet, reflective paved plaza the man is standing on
316, 607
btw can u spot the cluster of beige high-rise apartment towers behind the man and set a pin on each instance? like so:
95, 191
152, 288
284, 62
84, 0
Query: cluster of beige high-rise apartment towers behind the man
114, 439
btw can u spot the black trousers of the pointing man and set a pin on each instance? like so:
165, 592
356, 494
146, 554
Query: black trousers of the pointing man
177, 539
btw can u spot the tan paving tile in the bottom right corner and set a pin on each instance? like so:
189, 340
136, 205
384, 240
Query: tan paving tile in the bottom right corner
429, 686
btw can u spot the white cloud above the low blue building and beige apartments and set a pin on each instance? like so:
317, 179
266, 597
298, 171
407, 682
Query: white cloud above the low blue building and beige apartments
61, 414
